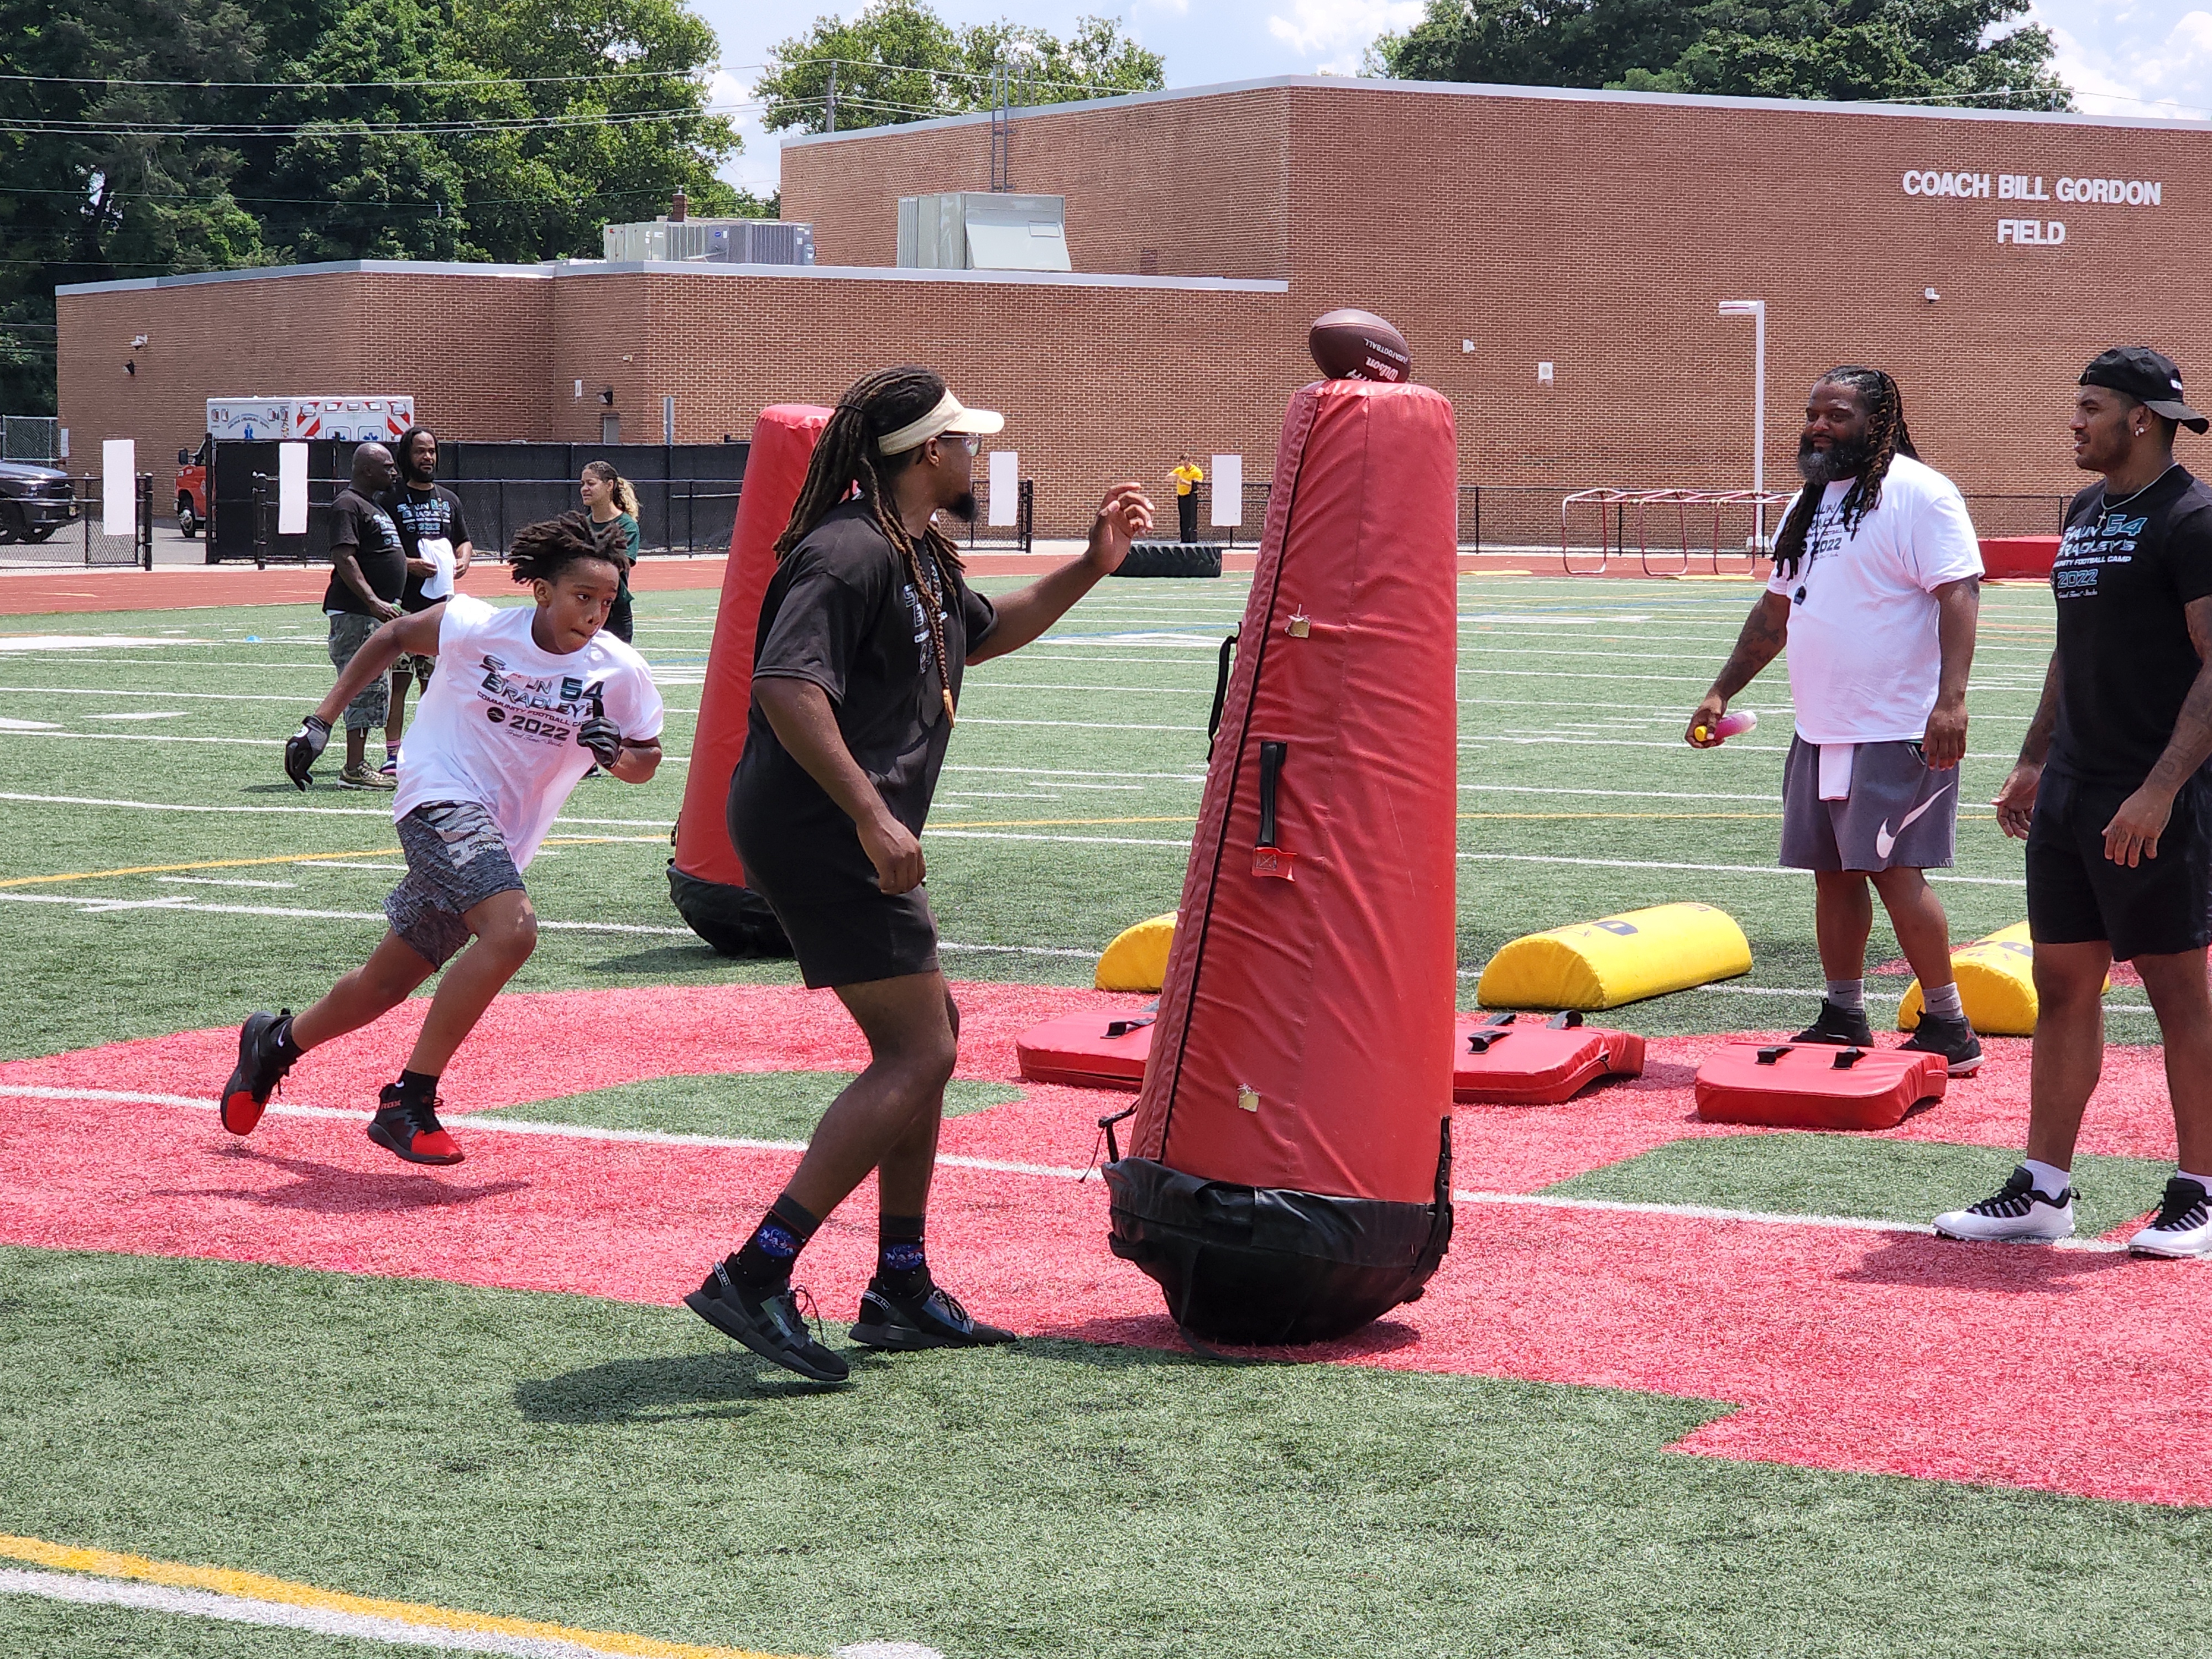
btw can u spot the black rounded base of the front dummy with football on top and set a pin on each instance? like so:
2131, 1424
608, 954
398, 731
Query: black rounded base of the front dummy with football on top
1266, 1266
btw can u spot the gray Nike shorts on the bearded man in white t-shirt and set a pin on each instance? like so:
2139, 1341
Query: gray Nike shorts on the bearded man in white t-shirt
1901, 813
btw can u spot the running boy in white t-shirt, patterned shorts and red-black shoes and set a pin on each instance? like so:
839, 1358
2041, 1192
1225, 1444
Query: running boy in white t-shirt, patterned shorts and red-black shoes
523, 705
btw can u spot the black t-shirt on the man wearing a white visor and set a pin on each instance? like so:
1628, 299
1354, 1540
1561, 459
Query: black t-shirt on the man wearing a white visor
842, 614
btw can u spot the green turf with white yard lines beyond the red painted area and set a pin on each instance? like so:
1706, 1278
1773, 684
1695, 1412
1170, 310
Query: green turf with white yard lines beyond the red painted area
1589, 680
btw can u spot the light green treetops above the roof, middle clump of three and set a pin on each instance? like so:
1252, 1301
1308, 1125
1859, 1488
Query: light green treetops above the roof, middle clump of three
899, 61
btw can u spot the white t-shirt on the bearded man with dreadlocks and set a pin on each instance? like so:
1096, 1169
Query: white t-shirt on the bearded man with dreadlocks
1864, 647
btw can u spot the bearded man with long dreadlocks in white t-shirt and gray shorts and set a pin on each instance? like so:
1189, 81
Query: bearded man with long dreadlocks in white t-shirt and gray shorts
1877, 594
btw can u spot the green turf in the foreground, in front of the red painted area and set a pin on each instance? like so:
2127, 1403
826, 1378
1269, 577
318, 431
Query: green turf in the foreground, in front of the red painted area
620, 1468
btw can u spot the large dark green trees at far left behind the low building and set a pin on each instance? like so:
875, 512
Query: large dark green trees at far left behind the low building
567, 114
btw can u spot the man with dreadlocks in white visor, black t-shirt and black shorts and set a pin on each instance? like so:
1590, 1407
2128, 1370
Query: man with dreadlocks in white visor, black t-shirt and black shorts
866, 629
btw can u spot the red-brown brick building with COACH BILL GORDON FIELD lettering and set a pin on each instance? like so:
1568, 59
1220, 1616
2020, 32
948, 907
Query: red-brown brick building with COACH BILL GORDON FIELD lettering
1983, 258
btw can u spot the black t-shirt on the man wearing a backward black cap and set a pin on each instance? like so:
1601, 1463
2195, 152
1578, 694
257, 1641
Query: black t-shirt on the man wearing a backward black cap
2122, 581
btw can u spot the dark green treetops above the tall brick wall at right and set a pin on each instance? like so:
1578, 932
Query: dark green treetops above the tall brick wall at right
1932, 52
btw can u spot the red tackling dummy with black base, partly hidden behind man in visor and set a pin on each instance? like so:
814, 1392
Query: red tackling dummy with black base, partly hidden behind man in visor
707, 879
